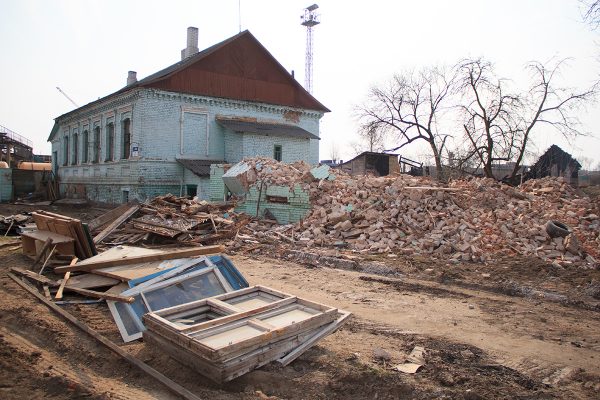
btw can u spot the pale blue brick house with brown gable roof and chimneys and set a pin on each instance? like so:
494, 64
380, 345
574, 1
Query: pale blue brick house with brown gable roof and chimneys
162, 133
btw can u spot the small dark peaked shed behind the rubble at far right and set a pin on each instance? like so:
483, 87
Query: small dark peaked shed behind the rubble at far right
555, 162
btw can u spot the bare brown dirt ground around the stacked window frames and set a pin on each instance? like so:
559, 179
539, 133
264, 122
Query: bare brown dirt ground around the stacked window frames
517, 328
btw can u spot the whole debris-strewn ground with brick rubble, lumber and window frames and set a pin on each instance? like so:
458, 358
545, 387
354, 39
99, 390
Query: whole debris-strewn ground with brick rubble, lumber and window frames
392, 286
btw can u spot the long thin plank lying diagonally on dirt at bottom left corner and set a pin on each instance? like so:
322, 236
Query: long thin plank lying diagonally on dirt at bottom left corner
174, 387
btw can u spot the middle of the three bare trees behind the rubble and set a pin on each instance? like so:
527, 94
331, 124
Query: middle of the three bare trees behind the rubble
490, 129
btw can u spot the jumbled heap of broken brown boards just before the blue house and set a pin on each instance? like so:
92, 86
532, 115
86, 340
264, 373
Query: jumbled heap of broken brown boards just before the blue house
171, 219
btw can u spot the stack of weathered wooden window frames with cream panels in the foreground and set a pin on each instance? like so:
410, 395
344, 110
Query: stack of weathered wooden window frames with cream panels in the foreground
226, 336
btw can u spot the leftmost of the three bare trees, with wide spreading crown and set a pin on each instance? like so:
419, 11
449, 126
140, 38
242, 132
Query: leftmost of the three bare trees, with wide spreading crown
408, 108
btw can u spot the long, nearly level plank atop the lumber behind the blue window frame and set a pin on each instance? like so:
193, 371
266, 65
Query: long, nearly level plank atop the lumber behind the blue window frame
165, 255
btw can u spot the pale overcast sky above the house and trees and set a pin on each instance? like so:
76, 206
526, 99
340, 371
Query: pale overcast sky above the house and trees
86, 48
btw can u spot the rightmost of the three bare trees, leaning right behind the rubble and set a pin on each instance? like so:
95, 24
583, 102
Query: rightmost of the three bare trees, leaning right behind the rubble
548, 104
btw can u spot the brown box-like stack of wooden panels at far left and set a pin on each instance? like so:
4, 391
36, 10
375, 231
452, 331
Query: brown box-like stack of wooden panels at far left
59, 229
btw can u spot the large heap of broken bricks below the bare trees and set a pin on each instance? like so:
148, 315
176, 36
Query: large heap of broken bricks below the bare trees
470, 220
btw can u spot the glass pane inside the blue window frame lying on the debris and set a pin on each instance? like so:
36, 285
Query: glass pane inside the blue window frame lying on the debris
191, 289
